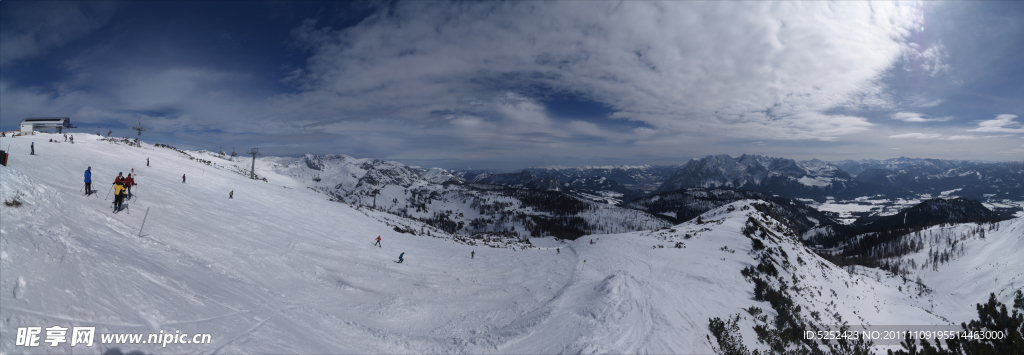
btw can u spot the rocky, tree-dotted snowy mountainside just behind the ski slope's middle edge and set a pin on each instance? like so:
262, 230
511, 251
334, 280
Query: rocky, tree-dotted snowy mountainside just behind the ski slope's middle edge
511, 206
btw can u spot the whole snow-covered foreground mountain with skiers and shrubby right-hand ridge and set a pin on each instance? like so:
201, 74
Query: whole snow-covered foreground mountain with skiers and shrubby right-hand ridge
289, 267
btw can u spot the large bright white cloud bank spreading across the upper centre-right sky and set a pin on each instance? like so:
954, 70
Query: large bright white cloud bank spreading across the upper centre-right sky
730, 70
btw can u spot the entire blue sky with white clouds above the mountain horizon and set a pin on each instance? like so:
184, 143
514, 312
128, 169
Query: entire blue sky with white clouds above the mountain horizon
517, 84
